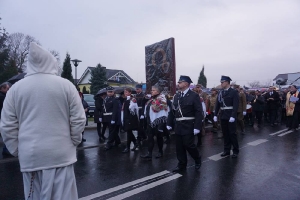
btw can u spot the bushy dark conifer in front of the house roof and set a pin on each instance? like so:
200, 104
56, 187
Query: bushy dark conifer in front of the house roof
98, 79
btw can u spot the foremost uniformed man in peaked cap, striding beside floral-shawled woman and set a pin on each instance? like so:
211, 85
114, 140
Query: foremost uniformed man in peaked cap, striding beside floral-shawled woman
187, 110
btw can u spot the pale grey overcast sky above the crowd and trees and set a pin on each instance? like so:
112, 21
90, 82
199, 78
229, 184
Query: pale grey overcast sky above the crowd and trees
247, 40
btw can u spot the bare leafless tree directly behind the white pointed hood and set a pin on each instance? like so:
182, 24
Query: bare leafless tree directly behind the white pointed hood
19, 48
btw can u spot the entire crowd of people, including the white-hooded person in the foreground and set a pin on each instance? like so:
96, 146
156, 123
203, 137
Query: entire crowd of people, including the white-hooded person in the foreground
44, 134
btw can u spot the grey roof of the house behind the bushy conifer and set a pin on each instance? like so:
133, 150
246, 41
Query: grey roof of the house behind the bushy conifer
112, 75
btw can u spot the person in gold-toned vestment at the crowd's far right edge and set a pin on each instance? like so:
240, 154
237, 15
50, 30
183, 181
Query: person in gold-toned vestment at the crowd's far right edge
292, 108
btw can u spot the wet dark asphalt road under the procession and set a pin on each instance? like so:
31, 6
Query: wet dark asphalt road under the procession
267, 168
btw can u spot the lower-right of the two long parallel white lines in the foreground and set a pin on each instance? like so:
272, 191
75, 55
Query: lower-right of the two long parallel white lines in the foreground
145, 187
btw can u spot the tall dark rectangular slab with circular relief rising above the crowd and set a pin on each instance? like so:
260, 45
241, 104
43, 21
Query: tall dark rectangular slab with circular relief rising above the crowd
161, 66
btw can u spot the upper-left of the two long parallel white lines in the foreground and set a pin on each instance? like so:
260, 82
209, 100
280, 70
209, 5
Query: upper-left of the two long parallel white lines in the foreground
99, 194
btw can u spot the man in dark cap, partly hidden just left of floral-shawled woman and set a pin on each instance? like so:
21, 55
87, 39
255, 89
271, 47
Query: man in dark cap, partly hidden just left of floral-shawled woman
141, 100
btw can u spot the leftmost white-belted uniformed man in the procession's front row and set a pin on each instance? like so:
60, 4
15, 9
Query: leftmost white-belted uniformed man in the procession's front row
111, 115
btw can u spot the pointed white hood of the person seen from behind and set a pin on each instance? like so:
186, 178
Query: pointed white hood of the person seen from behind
40, 61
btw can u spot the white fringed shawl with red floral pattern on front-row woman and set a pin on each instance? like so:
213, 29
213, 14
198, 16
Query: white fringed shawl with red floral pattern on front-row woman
159, 109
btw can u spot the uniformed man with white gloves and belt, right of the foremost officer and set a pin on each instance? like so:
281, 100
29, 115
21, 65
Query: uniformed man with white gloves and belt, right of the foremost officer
228, 102
